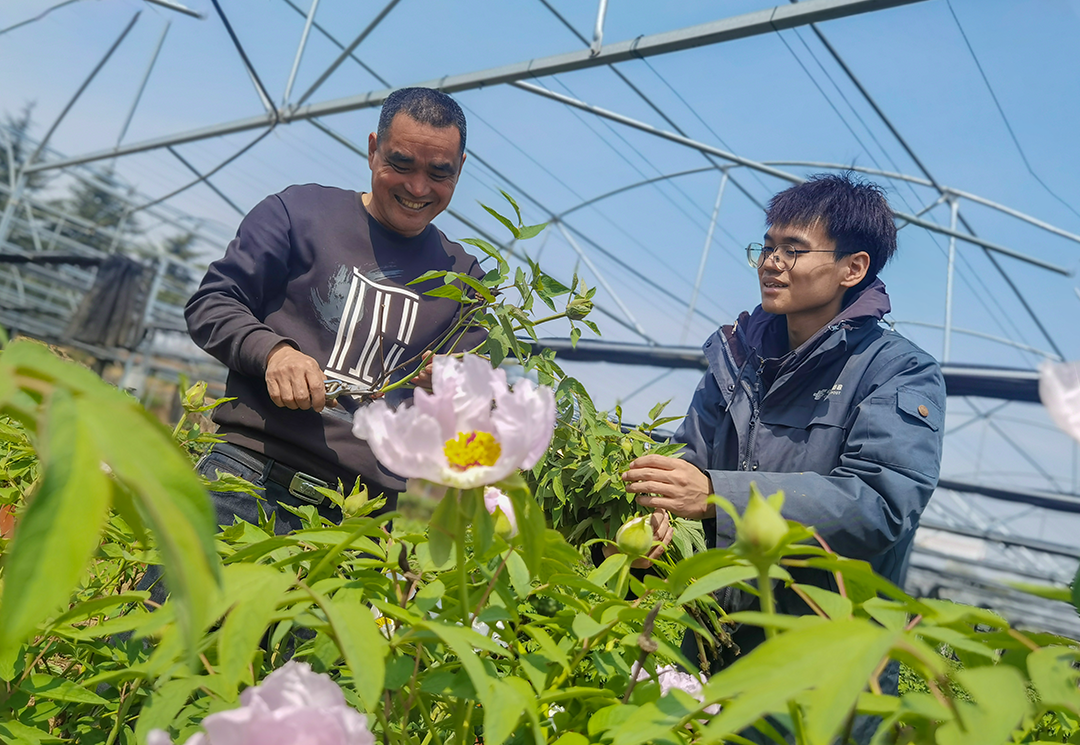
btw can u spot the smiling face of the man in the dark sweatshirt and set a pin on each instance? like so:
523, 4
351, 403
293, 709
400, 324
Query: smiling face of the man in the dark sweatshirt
414, 172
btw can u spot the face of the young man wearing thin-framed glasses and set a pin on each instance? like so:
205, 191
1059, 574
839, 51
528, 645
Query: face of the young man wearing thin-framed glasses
812, 293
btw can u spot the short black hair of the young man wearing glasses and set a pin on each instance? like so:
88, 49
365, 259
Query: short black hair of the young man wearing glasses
854, 212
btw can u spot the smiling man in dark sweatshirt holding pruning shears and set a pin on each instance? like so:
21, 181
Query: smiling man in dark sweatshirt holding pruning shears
315, 289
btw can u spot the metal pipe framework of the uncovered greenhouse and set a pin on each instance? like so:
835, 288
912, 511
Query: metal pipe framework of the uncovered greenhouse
53, 294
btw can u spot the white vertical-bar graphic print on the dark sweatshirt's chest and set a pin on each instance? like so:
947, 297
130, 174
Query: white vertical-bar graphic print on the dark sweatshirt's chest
374, 326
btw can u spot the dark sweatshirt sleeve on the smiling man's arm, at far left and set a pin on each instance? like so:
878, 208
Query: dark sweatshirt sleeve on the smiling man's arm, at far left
225, 316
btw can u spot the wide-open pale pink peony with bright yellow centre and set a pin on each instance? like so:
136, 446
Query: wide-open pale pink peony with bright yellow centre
455, 437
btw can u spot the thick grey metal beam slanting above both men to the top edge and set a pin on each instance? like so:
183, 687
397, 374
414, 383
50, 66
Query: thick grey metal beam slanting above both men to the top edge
738, 28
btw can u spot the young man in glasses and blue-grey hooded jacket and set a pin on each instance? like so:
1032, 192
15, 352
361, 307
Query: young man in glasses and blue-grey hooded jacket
809, 395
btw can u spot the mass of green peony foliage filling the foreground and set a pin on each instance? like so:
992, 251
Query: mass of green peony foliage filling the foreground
451, 634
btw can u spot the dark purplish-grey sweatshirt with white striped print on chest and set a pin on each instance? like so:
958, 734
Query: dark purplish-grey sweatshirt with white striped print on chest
310, 267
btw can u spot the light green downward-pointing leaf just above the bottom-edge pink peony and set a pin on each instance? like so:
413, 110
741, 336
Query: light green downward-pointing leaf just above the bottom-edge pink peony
255, 592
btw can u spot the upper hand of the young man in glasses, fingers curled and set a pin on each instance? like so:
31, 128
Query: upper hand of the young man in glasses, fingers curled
670, 484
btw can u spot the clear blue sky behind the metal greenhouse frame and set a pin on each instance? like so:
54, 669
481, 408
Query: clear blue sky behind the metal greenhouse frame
774, 98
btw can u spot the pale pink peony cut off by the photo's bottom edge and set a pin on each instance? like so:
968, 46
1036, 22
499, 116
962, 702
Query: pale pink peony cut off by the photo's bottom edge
293, 707
